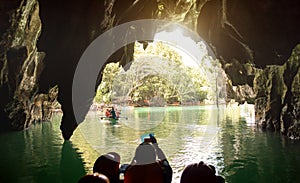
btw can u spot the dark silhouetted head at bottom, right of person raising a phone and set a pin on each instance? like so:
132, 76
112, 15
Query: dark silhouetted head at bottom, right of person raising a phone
198, 173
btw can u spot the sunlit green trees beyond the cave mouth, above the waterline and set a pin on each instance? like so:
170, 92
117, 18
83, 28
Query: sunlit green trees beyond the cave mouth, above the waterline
157, 75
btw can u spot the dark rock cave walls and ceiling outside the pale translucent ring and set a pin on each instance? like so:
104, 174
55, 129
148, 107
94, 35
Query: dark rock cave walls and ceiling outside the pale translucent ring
42, 42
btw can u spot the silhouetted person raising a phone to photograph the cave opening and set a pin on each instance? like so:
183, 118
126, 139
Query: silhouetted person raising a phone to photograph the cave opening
148, 165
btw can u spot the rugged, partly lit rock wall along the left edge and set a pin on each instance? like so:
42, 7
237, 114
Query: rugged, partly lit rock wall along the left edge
20, 65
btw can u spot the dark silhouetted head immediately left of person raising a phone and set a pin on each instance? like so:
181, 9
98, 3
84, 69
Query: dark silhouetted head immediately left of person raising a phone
108, 164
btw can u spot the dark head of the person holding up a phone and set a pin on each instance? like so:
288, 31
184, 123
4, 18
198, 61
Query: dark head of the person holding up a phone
145, 154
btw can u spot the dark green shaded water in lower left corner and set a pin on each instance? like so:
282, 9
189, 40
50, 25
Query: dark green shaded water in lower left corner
39, 154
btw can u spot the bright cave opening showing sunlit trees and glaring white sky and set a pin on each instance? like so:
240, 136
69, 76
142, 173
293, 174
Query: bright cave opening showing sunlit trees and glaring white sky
163, 73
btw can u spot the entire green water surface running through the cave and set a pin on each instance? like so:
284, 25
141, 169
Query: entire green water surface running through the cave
225, 138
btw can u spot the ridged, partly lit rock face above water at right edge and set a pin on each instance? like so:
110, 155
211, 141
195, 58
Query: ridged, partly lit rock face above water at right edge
277, 100
